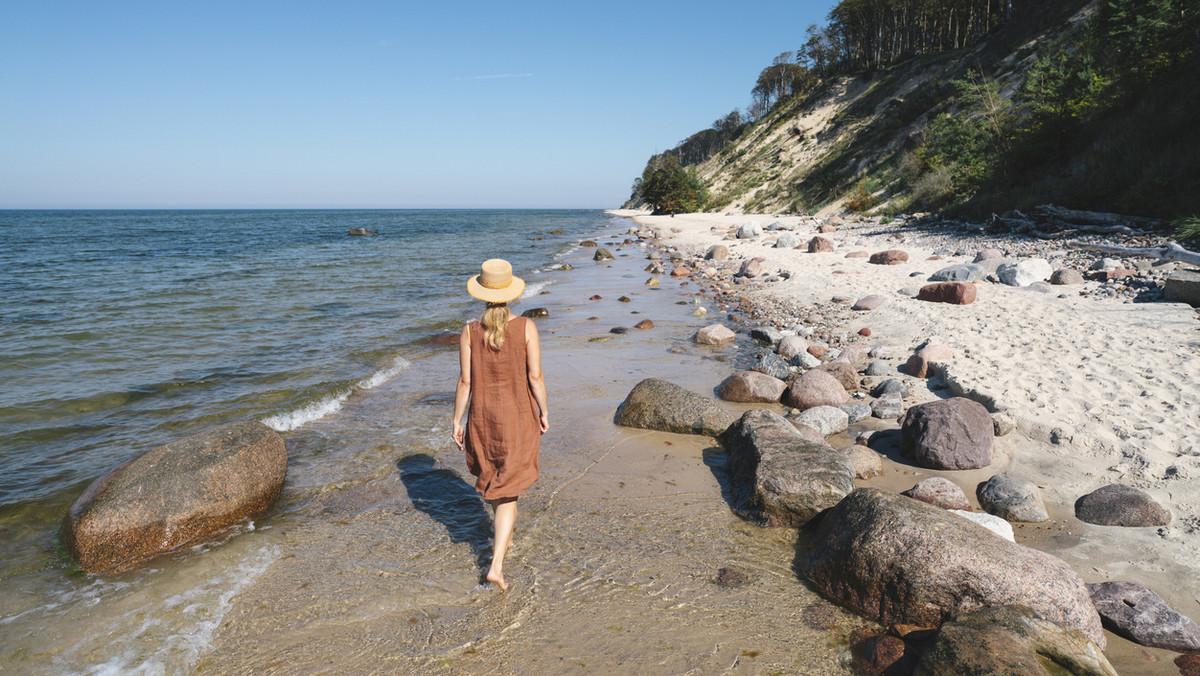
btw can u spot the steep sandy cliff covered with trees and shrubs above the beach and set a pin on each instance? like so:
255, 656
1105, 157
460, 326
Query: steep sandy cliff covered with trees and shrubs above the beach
968, 107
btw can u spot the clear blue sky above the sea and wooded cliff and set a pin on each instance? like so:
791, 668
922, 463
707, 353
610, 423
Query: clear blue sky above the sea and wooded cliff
367, 105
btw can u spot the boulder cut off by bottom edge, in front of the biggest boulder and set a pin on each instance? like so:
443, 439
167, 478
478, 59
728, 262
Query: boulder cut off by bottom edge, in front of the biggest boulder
1011, 641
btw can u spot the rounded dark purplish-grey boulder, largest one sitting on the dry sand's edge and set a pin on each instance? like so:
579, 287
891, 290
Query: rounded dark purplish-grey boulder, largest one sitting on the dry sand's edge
949, 434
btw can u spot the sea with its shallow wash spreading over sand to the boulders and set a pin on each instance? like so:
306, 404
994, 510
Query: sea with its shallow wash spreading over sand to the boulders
125, 331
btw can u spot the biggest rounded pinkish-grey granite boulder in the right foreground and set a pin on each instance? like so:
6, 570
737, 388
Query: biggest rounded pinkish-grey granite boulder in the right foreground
902, 561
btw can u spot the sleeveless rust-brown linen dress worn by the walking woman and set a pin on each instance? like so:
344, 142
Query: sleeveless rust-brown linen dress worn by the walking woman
503, 432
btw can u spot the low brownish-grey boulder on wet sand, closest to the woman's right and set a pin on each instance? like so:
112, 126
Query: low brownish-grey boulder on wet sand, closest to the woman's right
668, 408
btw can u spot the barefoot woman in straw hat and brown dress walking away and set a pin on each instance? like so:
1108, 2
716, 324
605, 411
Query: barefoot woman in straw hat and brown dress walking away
500, 363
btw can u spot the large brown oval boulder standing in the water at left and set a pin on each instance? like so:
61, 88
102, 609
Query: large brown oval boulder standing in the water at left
177, 495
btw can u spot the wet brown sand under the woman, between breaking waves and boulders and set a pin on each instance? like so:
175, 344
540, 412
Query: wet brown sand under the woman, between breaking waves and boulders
617, 549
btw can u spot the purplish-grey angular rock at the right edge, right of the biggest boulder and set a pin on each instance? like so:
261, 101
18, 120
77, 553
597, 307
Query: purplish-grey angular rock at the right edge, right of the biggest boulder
1138, 614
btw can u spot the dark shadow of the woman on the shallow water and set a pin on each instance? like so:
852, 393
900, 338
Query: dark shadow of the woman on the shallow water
451, 501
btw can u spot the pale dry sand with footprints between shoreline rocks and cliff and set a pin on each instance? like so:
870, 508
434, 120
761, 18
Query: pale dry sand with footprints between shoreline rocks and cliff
1102, 391
